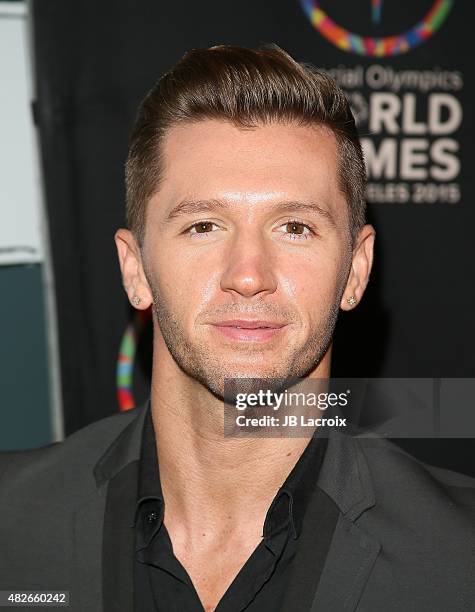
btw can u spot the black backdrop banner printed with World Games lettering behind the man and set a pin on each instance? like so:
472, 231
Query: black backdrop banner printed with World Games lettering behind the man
406, 68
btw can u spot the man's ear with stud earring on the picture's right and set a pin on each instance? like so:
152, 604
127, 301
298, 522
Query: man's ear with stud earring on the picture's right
362, 262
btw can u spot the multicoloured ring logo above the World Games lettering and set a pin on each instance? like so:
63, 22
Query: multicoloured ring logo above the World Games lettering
377, 47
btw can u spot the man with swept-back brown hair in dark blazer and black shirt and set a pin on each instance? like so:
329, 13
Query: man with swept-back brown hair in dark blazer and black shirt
245, 204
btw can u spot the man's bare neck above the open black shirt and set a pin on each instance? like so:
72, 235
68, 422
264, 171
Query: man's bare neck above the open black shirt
204, 475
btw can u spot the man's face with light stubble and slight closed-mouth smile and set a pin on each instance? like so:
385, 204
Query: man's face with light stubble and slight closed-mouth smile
247, 225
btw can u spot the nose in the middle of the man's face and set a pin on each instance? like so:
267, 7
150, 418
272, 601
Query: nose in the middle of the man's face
249, 266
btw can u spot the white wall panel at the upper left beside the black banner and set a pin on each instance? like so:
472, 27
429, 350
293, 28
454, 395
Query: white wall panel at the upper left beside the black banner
20, 188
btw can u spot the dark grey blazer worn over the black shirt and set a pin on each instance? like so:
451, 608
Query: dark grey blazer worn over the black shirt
404, 540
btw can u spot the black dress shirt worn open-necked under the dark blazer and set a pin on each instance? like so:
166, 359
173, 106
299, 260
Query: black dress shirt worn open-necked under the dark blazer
269, 576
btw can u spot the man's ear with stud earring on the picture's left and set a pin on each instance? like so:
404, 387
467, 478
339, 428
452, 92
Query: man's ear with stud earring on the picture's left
133, 276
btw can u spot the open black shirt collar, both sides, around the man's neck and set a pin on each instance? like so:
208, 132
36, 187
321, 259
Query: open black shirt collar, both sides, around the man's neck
286, 510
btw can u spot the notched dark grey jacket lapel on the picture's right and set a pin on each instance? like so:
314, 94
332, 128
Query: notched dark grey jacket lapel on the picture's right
345, 478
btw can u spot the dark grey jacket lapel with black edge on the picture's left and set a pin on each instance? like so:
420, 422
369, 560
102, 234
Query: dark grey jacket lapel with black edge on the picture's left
103, 532
